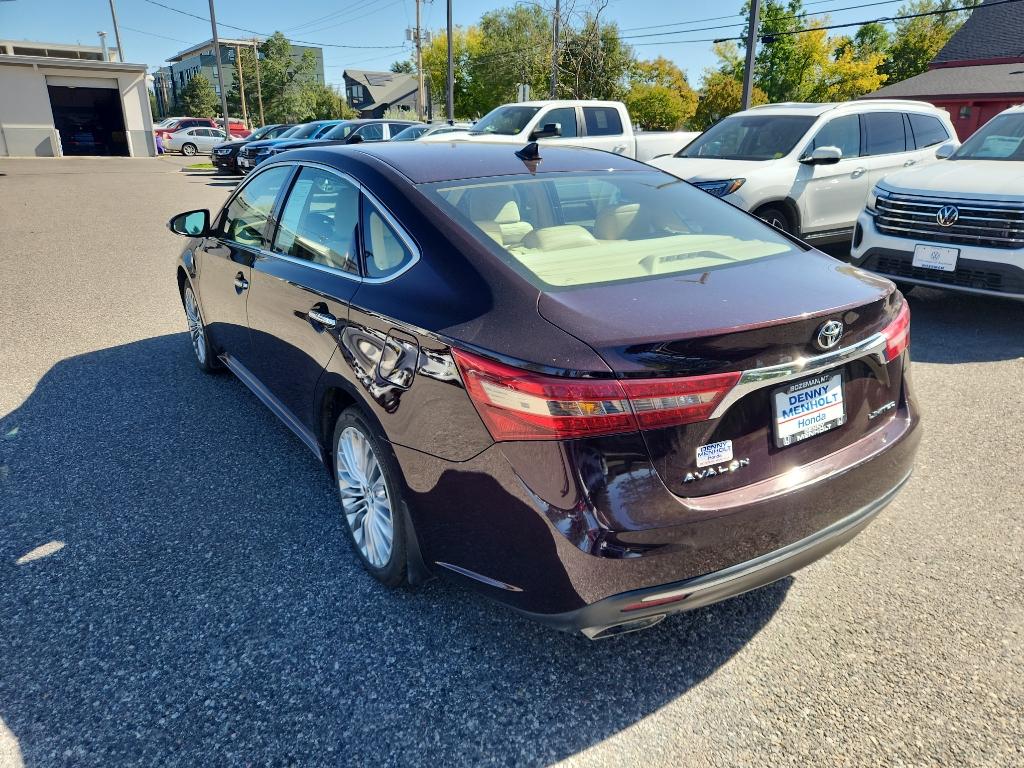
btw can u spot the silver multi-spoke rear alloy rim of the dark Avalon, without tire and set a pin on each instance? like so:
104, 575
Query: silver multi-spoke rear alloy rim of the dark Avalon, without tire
365, 497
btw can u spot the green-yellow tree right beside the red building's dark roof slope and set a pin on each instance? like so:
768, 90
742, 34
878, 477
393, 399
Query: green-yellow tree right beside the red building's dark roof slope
917, 41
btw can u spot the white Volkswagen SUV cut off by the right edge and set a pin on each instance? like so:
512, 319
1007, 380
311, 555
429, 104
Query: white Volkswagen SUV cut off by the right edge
958, 225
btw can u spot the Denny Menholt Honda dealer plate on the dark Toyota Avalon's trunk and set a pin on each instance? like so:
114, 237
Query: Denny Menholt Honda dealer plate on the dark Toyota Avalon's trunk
808, 408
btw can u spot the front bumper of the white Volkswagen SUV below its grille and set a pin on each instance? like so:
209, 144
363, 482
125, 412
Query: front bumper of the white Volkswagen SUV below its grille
988, 272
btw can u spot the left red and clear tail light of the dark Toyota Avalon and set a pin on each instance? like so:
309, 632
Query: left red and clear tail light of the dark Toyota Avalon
518, 405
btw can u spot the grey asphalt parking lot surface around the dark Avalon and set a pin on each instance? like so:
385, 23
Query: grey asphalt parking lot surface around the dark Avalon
195, 602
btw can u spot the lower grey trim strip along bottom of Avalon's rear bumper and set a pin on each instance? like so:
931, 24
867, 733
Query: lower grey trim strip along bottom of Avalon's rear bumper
642, 609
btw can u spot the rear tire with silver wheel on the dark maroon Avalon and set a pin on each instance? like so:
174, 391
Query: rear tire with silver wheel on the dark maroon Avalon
370, 488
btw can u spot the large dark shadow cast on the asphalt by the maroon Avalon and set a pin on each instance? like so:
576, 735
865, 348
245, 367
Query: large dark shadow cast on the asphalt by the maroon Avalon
178, 590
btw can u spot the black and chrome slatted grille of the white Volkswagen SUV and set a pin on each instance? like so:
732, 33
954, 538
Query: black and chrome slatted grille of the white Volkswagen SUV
987, 225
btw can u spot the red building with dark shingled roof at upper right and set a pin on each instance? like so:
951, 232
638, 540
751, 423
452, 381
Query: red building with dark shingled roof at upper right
978, 74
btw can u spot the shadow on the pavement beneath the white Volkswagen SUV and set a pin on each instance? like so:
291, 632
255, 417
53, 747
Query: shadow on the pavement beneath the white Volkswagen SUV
950, 327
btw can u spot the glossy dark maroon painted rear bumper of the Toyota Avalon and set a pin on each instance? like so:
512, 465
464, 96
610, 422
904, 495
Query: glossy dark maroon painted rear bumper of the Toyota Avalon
554, 529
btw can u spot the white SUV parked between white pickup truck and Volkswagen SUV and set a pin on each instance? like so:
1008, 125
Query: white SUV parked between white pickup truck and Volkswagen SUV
807, 168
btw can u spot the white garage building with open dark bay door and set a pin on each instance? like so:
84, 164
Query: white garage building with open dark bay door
55, 107
